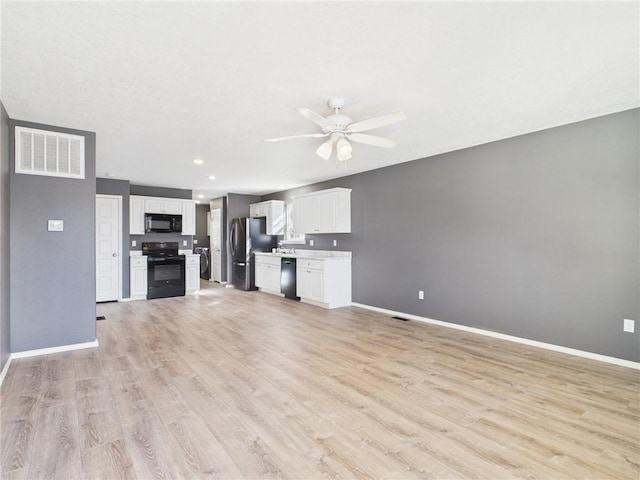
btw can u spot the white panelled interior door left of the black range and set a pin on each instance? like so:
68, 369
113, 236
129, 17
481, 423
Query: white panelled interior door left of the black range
108, 246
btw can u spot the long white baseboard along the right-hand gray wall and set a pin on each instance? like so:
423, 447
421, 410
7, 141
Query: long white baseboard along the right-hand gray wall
525, 341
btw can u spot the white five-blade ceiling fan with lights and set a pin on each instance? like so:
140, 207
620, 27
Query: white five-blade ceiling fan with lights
340, 129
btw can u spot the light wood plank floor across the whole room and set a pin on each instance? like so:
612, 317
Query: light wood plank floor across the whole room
233, 384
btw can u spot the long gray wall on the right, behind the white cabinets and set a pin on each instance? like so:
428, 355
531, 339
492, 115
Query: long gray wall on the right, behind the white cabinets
535, 236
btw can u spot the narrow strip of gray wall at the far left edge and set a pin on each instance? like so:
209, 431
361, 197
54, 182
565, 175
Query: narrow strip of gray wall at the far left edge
5, 330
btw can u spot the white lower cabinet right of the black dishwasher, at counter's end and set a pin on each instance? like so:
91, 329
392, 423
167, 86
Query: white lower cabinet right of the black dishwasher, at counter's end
326, 283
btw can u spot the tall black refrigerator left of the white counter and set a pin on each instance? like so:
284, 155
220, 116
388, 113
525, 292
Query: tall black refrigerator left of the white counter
247, 236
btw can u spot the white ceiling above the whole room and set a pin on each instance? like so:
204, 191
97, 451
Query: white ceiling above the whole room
162, 83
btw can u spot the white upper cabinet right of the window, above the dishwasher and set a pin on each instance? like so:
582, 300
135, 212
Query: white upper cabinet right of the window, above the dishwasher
326, 211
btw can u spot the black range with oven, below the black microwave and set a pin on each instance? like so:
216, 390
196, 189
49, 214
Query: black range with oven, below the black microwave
165, 269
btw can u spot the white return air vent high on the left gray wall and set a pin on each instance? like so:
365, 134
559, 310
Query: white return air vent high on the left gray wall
41, 152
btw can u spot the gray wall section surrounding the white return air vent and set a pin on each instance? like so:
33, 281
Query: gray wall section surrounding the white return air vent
52, 274
